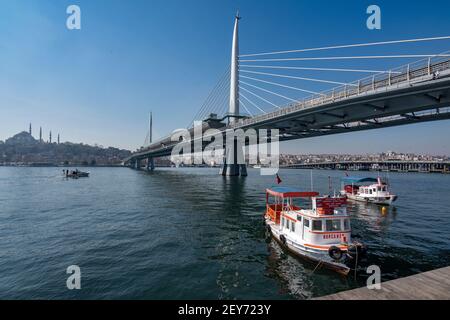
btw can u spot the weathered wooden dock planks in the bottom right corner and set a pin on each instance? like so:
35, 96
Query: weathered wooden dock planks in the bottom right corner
432, 285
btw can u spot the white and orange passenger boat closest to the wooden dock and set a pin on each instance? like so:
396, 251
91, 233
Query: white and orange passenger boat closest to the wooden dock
313, 227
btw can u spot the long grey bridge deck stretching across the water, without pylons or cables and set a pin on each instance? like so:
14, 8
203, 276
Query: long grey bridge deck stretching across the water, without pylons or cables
418, 93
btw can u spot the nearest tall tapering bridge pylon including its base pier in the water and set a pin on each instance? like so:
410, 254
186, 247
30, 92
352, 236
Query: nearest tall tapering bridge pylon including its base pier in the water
230, 166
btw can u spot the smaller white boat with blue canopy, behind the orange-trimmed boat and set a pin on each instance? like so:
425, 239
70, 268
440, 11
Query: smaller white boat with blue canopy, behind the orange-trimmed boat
369, 190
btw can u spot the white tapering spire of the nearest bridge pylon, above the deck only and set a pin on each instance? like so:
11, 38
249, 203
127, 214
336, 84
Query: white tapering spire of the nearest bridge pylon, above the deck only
234, 81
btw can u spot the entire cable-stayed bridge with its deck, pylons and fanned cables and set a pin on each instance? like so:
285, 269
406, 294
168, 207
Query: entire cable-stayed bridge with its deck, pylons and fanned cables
415, 92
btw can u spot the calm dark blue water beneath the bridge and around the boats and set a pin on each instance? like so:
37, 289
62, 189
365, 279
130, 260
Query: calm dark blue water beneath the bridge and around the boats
192, 234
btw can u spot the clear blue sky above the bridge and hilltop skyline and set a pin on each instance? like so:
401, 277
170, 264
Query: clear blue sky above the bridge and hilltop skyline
97, 84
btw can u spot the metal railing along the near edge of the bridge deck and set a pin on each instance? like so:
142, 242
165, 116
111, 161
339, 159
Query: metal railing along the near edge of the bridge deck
384, 81
